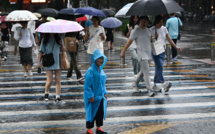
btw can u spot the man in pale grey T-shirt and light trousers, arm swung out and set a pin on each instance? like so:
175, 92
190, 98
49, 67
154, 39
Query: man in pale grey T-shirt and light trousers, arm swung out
142, 36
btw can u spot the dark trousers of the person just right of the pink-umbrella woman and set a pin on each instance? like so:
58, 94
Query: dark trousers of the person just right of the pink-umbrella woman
73, 64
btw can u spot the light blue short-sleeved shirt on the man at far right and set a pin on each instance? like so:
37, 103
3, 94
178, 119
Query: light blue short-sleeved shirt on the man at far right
172, 24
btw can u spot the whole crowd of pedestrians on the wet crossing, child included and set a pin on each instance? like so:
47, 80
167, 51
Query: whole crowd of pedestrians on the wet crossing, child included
140, 38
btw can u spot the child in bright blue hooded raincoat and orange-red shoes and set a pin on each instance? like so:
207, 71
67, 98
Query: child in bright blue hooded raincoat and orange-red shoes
95, 93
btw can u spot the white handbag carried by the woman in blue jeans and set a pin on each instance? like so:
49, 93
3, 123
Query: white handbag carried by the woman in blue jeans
157, 47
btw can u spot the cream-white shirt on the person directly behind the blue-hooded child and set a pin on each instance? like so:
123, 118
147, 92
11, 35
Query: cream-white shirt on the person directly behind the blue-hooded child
94, 41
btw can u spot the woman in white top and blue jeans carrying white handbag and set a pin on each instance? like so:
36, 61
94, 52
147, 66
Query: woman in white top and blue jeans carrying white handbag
159, 32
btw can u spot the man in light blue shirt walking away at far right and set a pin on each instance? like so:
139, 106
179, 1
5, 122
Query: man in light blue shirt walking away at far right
173, 25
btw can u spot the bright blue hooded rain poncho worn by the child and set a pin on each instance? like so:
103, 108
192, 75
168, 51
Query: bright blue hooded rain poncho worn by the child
94, 86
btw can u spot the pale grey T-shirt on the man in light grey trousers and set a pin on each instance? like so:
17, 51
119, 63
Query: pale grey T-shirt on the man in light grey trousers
143, 42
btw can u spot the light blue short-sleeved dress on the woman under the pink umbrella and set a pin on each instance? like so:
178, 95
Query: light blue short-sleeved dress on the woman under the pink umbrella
56, 51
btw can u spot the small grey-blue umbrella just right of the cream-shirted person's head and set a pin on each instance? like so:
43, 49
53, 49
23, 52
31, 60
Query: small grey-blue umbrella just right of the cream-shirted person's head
111, 22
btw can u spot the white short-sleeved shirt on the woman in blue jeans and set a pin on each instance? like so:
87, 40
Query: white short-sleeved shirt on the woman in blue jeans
162, 32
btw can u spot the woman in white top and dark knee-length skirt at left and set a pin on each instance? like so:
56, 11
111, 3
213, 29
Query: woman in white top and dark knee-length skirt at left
26, 39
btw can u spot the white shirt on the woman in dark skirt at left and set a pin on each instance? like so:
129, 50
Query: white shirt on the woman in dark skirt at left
27, 38
